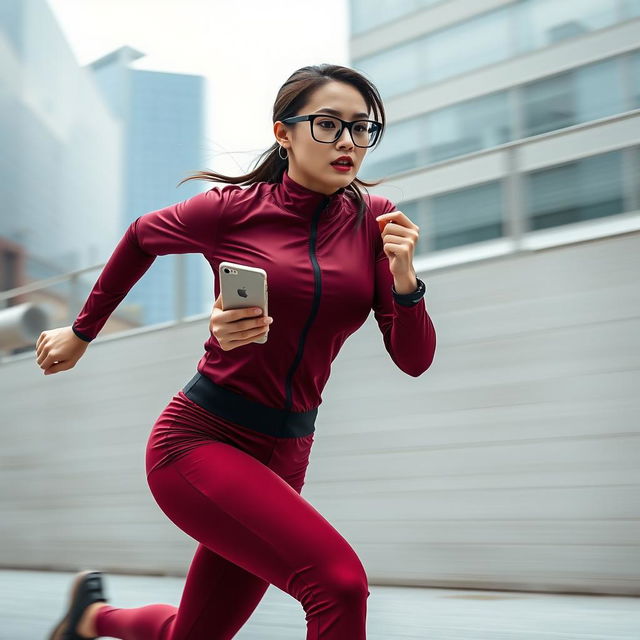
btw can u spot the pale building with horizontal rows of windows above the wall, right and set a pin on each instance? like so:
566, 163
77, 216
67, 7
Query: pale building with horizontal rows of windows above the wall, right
536, 94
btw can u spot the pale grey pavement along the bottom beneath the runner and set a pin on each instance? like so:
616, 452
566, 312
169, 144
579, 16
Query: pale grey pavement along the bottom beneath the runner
31, 602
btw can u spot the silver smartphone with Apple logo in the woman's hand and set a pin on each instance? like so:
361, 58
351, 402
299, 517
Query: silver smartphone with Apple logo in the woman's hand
242, 286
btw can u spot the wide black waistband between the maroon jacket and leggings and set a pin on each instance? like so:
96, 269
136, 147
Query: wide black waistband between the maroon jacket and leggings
249, 413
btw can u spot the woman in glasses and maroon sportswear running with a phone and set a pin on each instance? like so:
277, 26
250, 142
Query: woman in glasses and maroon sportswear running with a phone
227, 457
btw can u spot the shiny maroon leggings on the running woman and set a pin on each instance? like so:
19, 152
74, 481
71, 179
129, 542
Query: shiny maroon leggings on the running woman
237, 492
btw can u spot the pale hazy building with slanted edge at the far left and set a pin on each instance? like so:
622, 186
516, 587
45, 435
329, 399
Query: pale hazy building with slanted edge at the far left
59, 153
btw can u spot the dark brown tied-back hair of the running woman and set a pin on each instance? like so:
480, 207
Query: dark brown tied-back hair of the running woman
292, 96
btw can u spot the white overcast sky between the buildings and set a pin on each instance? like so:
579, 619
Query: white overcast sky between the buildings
246, 49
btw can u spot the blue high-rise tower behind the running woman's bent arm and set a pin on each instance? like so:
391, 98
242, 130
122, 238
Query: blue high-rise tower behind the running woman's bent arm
163, 119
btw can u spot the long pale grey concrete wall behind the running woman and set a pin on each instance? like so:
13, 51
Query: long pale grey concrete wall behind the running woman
511, 464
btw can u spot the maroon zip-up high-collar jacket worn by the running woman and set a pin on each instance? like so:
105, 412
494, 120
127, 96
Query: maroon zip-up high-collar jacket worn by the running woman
324, 278
